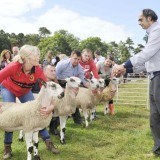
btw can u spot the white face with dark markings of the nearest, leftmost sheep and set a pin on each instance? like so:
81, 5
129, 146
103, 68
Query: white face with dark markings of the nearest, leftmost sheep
54, 89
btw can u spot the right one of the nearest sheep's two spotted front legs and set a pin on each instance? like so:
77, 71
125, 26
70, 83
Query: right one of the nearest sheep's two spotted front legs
35, 146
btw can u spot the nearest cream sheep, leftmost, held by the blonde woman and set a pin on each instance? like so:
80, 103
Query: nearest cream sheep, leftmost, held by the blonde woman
26, 116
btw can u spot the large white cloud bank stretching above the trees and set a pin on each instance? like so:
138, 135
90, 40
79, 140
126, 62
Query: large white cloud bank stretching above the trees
57, 18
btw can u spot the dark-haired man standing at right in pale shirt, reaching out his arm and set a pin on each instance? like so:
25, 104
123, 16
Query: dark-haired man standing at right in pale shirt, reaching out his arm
150, 58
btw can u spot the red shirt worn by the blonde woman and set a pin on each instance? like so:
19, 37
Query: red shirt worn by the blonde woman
12, 77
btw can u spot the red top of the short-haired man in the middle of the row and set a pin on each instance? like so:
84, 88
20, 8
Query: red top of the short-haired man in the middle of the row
89, 67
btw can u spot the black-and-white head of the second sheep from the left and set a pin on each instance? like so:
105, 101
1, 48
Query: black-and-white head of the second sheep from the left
73, 83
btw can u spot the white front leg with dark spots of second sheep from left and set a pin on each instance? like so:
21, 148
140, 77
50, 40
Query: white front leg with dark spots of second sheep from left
63, 120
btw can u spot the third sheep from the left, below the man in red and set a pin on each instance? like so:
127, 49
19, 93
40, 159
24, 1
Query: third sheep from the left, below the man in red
87, 99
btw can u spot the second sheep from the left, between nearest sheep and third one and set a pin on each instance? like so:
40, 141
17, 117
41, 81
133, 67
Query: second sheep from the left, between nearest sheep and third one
67, 105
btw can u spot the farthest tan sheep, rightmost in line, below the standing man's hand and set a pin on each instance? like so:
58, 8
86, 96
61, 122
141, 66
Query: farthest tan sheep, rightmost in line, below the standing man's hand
107, 94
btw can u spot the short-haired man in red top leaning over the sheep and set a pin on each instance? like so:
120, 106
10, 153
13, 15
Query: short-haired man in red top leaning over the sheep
88, 64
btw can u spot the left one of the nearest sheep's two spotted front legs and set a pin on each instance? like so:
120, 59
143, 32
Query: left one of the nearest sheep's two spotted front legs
28, 138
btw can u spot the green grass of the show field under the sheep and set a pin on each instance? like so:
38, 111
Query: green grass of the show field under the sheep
125, 136
